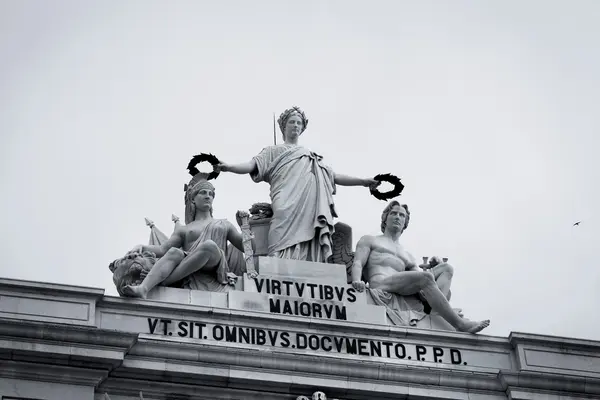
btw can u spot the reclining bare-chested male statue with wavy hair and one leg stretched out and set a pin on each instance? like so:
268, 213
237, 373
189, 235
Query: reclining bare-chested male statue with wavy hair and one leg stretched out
392, 271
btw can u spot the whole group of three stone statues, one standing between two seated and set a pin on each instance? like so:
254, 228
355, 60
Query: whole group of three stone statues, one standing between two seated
209, 254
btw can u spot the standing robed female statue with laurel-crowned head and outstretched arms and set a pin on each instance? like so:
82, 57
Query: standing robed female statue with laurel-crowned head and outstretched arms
302, 189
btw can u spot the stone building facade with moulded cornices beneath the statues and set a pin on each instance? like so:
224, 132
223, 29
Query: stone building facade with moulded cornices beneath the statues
61, 342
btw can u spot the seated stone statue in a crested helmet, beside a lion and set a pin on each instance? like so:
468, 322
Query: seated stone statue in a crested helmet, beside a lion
196, 253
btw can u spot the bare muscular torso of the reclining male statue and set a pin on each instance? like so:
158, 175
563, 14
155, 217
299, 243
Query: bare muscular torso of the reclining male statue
386, 258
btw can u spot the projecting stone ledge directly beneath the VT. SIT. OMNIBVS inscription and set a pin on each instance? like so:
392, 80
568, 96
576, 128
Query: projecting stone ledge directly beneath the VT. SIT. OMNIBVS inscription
184, 352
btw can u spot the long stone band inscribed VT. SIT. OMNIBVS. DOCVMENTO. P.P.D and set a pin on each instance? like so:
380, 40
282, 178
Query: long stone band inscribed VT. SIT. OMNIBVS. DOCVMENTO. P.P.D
365, 347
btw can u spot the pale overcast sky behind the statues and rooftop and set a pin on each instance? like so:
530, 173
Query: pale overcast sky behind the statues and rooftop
488, 111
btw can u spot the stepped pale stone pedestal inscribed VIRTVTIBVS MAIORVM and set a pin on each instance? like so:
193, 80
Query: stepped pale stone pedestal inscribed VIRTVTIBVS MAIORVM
286, 287
